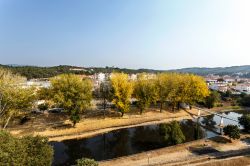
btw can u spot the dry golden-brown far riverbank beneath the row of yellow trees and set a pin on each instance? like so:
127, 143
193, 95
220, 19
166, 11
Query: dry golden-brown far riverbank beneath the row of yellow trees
62, 130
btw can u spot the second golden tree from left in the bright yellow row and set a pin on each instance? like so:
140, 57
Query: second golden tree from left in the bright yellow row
144, 92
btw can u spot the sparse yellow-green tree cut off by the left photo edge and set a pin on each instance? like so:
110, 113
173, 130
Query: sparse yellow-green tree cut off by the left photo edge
14, 98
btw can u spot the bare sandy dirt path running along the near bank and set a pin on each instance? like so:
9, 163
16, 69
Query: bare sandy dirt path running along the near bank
181, 154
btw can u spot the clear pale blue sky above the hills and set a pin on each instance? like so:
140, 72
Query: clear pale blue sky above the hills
158, 34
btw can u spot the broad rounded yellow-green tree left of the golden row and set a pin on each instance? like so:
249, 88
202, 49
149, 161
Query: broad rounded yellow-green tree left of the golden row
71, 93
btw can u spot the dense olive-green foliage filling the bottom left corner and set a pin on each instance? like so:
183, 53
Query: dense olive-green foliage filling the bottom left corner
31, 151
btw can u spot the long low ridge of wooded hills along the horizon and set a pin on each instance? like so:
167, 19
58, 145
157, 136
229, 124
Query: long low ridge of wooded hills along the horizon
45, 72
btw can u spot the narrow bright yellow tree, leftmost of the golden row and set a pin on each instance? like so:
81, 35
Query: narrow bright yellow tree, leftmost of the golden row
122, 90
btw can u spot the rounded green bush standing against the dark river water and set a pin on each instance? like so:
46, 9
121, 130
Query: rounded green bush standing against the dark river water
172, 133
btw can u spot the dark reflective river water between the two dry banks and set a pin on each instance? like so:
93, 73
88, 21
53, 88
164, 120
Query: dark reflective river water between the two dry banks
129, 141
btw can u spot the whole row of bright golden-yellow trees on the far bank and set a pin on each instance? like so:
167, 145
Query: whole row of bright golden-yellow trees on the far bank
171, 88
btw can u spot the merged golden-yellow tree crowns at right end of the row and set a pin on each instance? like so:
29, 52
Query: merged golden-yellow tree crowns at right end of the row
180, 88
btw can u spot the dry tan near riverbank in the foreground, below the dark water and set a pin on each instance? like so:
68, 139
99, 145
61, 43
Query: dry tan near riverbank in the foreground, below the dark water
187, 154
